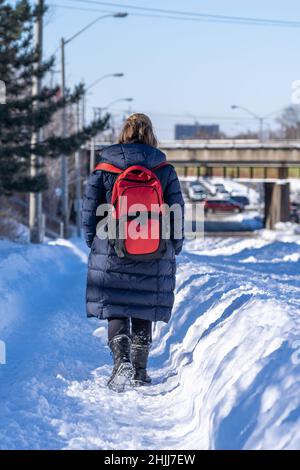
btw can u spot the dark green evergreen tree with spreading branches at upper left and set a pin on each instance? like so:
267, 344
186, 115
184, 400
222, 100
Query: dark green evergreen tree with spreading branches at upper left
24, 114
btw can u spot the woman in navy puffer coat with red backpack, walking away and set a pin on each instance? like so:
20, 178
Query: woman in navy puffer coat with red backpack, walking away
131, 278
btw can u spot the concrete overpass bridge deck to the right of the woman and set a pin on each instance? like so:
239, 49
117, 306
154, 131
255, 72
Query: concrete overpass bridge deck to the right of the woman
235, 158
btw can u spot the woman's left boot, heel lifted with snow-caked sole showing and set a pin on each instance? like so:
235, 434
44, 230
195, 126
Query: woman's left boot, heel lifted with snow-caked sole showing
123, 371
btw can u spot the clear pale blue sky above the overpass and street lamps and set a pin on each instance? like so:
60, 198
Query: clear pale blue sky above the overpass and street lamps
183, 67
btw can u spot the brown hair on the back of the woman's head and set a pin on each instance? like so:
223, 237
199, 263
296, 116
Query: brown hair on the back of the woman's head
138, 129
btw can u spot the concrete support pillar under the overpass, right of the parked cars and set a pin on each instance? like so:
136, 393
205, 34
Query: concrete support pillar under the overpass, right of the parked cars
277, 204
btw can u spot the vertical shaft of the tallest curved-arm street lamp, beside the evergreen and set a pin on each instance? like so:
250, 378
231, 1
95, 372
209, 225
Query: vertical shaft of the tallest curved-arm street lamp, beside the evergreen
64, 158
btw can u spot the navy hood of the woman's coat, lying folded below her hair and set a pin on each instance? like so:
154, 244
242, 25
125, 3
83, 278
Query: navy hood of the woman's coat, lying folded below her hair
125, 155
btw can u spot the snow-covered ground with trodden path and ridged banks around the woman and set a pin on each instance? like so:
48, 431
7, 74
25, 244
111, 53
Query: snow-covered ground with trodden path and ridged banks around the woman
226, 368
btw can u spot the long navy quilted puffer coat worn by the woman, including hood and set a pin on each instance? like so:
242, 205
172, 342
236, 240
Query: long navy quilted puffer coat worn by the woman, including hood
120, 287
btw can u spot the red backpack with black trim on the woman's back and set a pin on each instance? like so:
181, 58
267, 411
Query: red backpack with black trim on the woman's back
137, 212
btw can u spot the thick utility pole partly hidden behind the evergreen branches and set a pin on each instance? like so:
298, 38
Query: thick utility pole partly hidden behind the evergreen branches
35, 199
